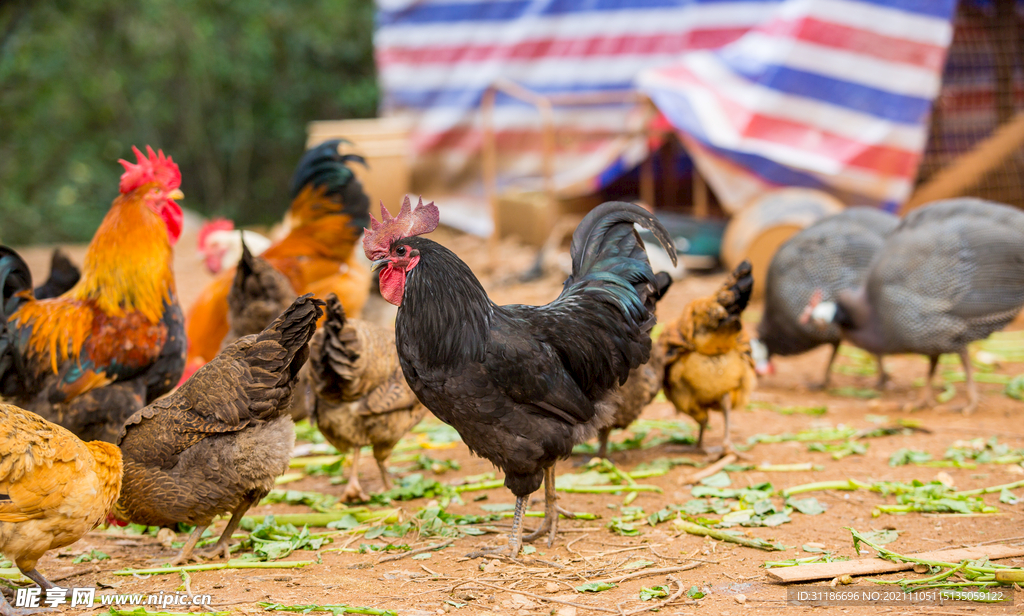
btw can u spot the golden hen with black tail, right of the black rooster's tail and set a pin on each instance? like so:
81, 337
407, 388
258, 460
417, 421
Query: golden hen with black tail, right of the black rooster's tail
708, 358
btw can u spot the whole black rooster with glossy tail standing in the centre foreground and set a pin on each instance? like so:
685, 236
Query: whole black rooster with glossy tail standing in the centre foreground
521, 384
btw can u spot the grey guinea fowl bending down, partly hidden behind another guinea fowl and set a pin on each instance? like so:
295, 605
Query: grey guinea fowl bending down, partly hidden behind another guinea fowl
831, 255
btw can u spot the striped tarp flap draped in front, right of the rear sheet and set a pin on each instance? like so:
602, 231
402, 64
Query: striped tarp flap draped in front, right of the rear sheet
834, 95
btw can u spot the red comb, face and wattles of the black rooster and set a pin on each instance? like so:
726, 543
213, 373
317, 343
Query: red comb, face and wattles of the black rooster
383, 245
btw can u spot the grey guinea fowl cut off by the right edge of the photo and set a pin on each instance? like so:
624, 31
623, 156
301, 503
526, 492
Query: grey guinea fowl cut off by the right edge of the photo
952, 273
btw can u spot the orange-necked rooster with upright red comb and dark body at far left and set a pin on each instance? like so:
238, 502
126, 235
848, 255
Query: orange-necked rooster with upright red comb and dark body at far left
93, 357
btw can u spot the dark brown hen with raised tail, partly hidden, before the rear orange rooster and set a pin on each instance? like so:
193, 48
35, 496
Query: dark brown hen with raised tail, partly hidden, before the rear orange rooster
260, 293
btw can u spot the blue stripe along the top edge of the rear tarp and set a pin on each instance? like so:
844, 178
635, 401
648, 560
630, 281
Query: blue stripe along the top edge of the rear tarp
515, 10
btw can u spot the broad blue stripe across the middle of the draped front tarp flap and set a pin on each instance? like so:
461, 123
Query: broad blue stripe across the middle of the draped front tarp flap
874, 102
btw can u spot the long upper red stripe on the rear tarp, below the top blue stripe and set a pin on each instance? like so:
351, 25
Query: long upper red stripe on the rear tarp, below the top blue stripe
562, 48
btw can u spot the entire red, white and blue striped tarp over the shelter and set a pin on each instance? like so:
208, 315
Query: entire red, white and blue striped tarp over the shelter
810, 93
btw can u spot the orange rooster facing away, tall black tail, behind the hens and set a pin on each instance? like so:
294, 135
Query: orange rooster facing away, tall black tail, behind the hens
328, 213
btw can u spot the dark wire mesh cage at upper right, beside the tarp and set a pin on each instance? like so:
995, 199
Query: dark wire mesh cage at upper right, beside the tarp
983, 89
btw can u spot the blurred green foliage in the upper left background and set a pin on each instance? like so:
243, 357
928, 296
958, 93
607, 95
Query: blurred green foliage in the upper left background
225, 86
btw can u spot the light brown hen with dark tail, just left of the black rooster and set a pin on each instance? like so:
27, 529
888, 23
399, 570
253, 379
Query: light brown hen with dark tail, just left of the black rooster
362, 398
